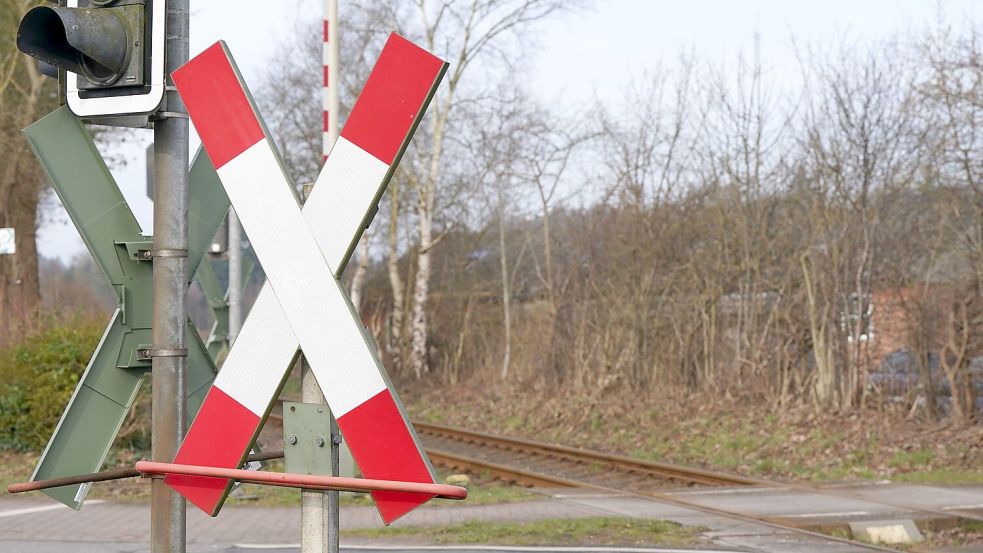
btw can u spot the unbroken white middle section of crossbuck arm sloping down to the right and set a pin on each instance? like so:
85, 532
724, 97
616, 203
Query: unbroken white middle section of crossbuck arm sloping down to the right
311, 298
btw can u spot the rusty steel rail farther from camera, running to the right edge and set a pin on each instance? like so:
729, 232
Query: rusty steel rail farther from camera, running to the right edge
675, 471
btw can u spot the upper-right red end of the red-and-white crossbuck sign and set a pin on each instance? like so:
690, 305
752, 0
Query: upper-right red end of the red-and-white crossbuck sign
392, 98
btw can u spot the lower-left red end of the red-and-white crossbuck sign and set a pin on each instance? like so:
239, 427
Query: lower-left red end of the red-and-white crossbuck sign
222, 431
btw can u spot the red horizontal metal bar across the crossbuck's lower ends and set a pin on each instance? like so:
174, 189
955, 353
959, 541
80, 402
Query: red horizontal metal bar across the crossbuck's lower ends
308, 481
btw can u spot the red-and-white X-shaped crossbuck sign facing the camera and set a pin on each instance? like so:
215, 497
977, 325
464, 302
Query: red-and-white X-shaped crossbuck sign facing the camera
303, 252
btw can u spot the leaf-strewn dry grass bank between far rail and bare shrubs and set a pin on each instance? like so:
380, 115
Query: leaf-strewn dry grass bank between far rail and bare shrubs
745, 437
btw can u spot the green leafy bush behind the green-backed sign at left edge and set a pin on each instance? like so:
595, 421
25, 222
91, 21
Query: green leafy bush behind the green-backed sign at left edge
37, 378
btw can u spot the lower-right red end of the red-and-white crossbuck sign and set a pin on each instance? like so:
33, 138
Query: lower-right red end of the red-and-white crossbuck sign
381, 443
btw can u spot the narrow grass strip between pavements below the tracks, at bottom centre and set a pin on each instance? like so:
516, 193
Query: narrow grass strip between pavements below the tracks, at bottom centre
600, 531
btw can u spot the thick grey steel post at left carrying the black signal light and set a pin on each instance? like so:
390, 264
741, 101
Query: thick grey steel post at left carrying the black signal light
170, 367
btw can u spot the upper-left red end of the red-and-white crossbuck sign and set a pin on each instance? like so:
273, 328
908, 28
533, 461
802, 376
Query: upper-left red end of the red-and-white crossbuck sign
216, 100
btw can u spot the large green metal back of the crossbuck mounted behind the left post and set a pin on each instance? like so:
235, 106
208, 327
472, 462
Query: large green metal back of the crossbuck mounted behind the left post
109, 385
